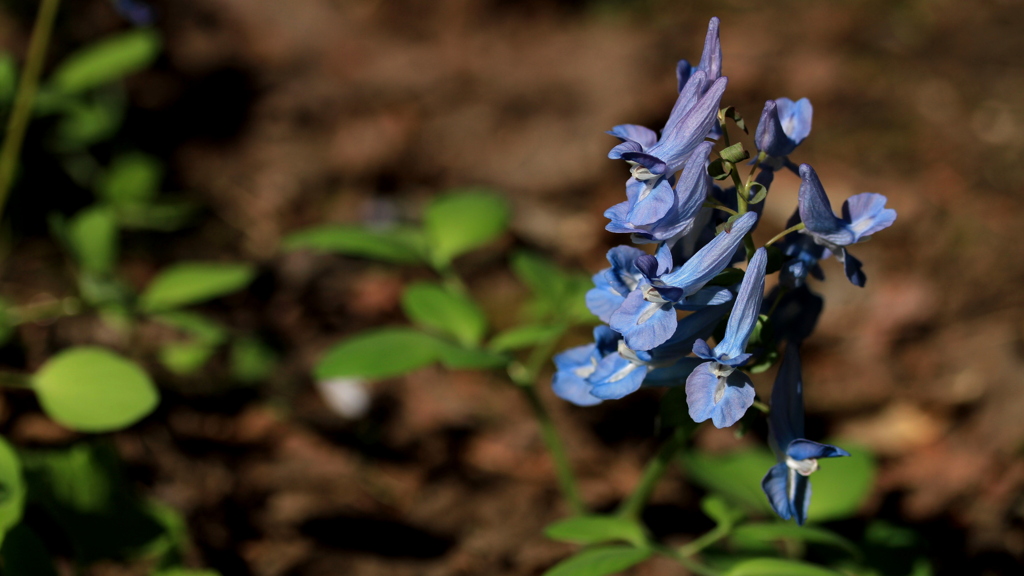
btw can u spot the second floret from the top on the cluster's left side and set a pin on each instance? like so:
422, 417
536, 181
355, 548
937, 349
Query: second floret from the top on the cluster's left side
662, 213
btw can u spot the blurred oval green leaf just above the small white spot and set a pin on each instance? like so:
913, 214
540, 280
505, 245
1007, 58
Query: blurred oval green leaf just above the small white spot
385, 353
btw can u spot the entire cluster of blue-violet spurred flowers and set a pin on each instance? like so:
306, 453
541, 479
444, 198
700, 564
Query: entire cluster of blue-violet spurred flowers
662, 307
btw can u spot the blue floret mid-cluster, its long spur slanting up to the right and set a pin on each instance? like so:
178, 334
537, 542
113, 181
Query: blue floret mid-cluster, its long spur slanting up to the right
648, 317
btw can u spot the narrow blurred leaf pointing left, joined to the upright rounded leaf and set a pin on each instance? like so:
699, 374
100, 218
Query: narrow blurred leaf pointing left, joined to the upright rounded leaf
398, 245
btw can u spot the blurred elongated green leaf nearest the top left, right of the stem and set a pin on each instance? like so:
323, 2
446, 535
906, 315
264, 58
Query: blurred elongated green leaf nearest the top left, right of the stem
107, 61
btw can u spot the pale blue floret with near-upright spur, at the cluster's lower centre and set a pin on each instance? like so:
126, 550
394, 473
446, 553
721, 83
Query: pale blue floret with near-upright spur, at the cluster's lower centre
716, 390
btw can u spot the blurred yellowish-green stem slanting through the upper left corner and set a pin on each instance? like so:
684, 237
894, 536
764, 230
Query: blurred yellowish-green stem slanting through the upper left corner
18, 125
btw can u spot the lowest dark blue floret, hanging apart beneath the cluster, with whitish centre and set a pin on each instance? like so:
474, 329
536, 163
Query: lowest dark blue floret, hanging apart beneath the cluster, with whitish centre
787, 484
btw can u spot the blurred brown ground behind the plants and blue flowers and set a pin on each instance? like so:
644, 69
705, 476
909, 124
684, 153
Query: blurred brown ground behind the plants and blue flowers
274, 116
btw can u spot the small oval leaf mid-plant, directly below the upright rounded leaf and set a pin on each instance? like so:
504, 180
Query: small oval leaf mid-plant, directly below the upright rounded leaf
433, 306
